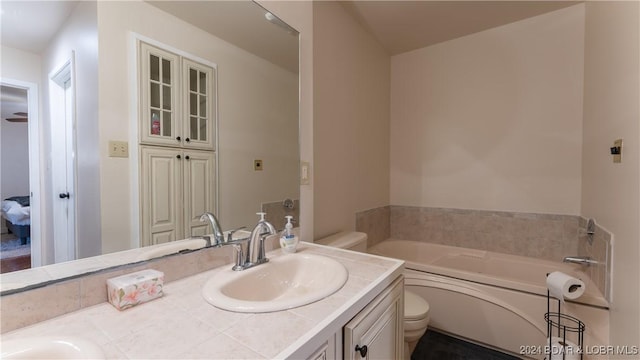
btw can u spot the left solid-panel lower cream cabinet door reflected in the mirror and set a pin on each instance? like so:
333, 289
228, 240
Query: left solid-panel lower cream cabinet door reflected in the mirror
161, 195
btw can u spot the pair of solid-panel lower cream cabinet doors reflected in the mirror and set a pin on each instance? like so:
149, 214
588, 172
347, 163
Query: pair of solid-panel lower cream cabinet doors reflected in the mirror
177, 186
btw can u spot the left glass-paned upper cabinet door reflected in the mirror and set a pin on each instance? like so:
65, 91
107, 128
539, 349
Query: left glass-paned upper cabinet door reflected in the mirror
159, 86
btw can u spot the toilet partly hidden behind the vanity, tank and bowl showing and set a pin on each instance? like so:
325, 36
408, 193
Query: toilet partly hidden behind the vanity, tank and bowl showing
416, 309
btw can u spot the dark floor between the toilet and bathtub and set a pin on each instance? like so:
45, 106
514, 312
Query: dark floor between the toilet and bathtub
437, 346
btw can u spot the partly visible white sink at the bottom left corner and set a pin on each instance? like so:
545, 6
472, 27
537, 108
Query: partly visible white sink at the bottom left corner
51, 347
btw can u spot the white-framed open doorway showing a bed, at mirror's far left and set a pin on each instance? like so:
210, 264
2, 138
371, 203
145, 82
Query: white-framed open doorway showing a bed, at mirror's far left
20, 175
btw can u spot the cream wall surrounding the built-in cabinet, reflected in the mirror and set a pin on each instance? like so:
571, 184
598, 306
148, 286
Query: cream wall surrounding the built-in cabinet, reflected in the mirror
243, 82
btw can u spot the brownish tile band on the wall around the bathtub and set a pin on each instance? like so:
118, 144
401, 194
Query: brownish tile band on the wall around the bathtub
544, 236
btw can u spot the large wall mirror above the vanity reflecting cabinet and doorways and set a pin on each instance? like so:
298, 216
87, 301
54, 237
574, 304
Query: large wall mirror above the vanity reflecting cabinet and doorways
137, 117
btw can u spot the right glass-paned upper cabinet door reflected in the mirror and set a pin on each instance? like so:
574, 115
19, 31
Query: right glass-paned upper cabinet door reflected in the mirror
199, 105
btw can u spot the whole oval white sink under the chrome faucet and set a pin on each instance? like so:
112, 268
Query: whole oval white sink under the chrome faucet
284, 282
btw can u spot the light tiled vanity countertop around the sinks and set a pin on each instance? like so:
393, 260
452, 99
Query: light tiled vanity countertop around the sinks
182, 324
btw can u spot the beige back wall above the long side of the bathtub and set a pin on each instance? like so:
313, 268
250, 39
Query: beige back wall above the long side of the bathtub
492, 120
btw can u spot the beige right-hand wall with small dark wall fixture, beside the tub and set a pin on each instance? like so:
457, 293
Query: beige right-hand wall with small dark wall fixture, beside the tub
611, 192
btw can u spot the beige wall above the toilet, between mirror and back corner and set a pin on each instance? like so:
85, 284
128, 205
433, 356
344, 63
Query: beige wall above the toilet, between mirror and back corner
350, 120
